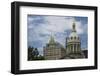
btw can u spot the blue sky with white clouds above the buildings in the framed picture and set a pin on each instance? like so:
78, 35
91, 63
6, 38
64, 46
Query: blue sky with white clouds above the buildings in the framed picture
41, 27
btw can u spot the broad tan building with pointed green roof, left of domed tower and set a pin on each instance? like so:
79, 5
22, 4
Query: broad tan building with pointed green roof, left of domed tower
53, 50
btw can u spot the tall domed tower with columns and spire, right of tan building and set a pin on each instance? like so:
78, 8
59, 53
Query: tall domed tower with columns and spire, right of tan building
73, 44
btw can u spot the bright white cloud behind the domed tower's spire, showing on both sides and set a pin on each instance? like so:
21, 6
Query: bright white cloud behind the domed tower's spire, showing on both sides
59, 24
